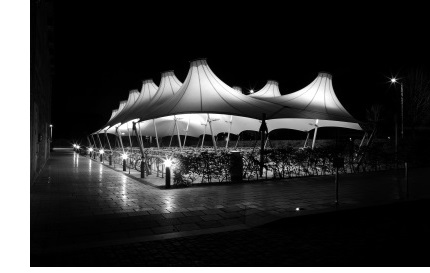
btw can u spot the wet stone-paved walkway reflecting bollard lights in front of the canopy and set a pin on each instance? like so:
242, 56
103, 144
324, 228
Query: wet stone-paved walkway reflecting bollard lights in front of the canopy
79, 205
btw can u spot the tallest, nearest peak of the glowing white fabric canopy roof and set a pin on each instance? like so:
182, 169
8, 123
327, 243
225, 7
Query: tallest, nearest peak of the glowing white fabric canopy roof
204, 92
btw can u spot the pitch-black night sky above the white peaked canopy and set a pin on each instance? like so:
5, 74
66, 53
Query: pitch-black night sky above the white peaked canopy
103, 51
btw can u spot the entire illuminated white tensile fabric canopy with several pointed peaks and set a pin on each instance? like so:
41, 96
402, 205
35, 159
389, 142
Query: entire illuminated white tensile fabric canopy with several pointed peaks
203, 97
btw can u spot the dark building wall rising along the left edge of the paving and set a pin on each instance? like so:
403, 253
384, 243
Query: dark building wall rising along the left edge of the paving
41, 74
